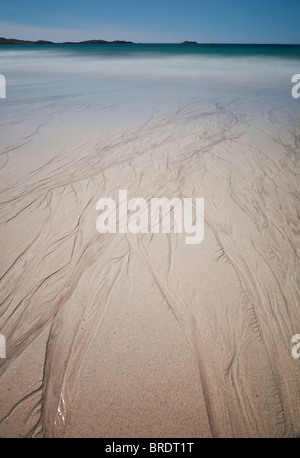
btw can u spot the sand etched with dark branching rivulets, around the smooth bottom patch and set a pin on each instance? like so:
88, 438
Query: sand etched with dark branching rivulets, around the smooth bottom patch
235, 296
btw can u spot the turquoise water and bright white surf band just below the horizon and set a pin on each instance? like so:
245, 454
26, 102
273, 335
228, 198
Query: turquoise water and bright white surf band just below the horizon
233, 63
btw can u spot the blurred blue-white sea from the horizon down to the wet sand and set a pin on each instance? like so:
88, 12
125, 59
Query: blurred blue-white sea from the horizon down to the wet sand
118, 86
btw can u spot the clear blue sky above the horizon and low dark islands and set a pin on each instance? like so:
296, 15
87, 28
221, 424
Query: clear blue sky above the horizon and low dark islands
153, 21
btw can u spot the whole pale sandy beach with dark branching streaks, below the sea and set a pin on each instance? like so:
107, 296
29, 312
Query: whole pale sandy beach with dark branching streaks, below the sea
142, 335
